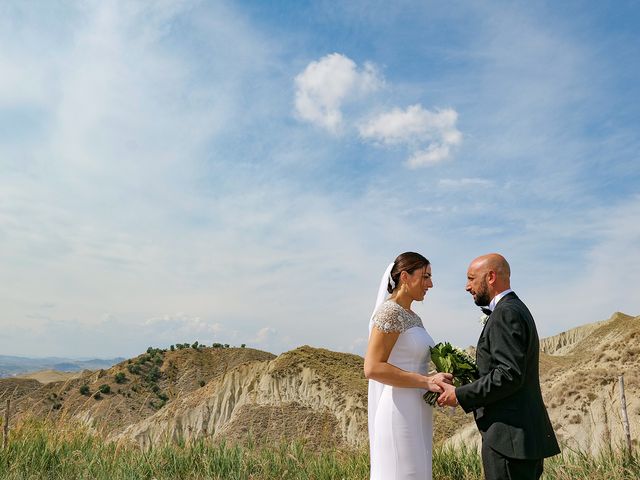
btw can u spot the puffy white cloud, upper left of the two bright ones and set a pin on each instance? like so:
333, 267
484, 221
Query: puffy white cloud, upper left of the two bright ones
326, 84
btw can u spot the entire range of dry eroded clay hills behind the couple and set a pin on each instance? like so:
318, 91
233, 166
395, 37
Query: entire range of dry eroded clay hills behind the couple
320, 396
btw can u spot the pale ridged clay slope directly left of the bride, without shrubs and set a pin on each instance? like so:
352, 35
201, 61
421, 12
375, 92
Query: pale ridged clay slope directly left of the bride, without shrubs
308, 393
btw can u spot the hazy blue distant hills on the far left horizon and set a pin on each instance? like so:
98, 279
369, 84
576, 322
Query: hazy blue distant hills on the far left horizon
14, 365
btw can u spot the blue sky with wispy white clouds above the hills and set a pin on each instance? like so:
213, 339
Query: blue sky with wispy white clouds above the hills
243, 172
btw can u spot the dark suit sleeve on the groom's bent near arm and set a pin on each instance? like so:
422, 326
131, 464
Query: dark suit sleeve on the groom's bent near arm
508, 338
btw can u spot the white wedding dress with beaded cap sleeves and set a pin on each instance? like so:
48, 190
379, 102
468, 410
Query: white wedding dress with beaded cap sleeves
400, 422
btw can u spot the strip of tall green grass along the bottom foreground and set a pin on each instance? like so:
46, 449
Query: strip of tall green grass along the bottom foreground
44, 450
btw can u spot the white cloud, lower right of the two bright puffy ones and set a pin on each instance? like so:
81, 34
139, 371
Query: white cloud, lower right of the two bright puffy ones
431, 135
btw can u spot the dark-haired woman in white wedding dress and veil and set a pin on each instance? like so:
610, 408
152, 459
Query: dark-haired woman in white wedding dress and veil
396, 364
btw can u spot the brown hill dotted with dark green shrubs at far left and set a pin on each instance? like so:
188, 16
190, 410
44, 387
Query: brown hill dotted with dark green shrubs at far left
113, 399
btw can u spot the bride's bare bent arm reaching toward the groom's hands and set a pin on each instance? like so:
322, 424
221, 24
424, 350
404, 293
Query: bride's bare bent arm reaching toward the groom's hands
377, 368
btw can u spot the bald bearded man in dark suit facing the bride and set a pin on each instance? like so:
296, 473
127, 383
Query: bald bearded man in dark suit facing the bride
506, 400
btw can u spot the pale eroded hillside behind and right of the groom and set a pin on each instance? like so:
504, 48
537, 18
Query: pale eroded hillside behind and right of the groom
580, 384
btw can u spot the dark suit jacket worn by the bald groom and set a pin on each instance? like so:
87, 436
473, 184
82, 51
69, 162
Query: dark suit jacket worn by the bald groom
506, 400
